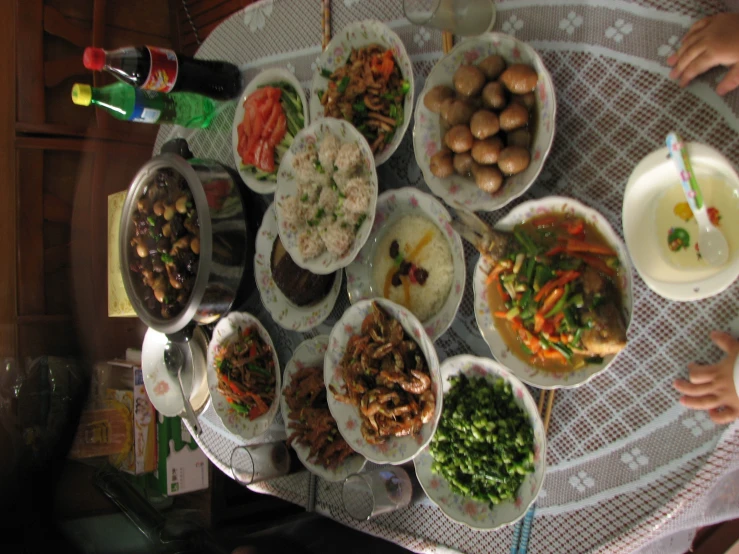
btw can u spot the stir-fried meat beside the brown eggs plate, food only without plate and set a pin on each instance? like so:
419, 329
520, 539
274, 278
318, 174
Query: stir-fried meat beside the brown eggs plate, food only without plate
368, 91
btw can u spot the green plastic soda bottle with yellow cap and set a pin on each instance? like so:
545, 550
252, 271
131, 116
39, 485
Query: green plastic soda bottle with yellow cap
127, 103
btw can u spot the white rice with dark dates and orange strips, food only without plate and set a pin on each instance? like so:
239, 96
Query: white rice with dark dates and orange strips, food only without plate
413, 266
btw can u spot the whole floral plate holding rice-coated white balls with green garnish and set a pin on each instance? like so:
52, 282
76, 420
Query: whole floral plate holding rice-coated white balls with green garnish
326, 196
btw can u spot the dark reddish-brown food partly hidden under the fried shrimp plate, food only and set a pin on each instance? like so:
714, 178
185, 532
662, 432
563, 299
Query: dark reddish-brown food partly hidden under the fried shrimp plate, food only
311, 421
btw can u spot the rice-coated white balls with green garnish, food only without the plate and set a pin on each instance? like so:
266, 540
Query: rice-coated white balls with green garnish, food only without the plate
332, 200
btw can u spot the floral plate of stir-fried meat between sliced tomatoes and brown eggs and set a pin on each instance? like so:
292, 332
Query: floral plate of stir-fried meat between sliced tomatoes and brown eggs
366, 78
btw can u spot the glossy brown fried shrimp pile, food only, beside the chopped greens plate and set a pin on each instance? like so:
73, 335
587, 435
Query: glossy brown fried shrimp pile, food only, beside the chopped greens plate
387, 378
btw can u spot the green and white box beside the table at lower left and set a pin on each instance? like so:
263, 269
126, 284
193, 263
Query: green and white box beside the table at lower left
182, 467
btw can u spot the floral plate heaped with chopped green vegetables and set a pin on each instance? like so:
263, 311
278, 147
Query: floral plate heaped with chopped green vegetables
485, 465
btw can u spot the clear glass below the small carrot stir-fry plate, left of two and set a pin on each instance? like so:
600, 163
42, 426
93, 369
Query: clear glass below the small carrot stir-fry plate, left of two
252, 464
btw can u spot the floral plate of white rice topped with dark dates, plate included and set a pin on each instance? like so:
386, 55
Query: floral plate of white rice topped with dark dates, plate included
413, 257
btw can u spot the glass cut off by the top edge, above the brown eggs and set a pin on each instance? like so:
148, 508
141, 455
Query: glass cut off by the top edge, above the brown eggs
460, 17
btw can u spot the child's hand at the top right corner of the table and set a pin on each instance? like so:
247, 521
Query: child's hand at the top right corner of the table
710, 42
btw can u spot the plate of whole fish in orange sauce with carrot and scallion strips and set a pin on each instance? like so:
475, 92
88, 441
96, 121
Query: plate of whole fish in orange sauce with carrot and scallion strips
553, 296
